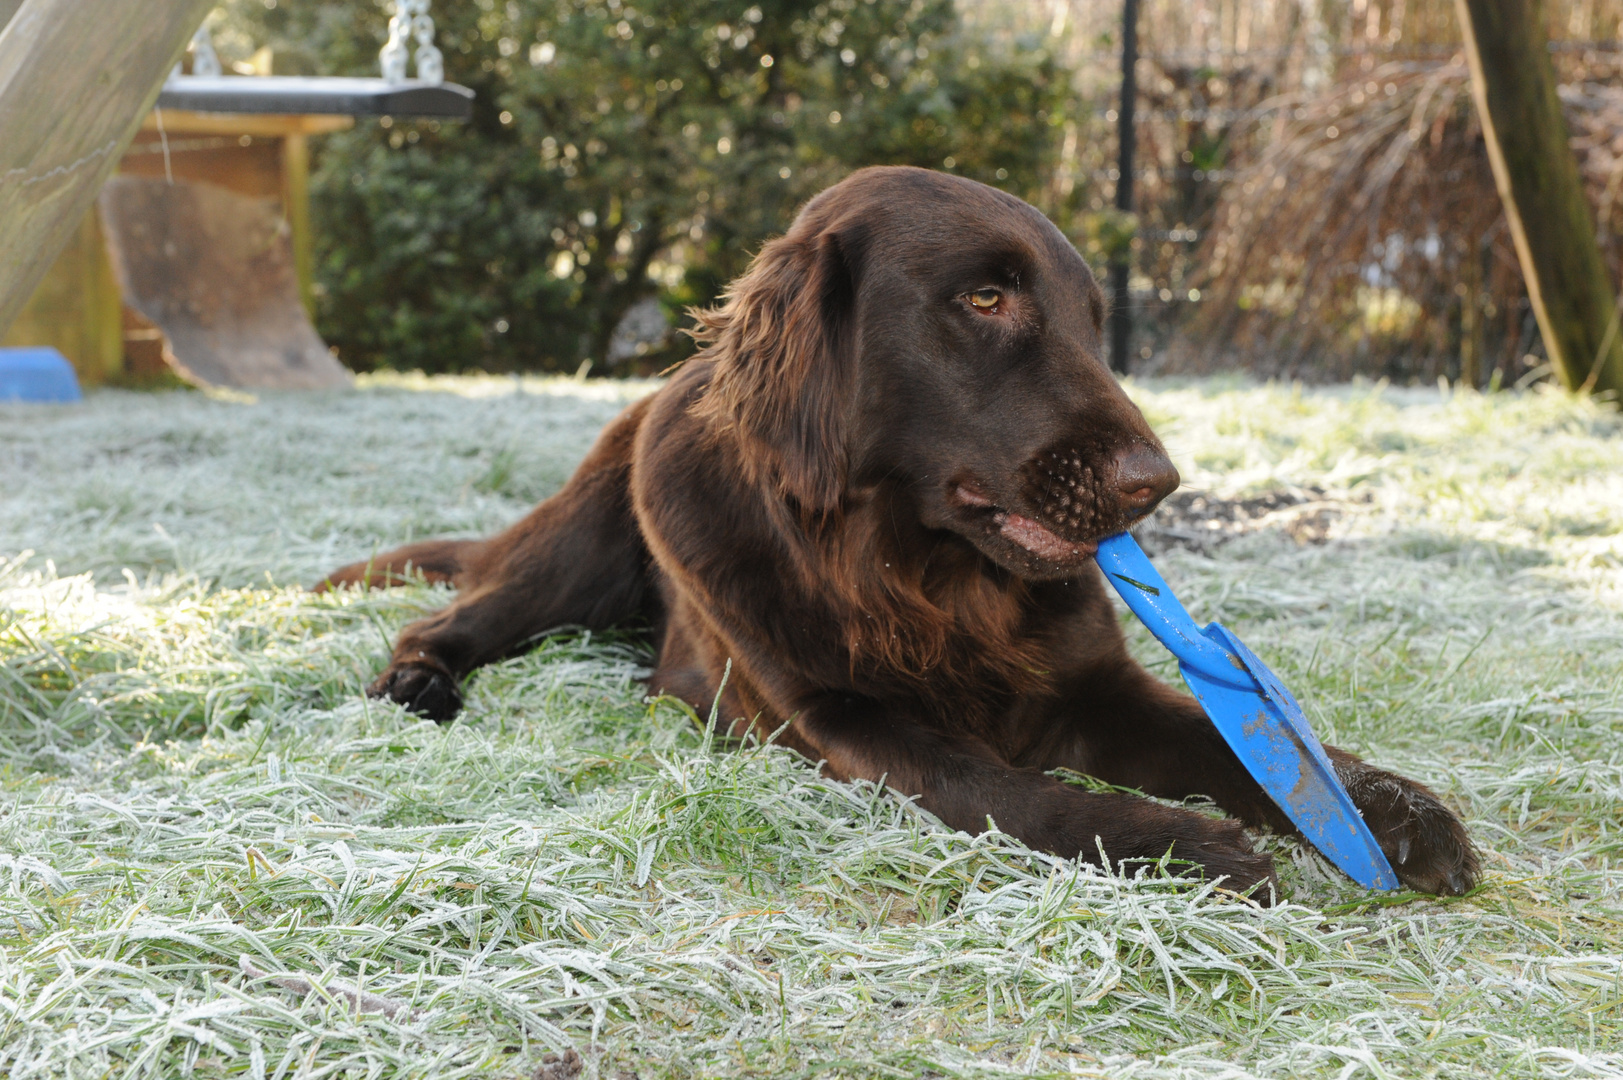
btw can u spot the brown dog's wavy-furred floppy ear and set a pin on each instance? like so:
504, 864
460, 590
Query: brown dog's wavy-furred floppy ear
783, 347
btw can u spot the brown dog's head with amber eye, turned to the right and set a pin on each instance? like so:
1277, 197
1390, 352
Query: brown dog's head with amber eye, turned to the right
921, 329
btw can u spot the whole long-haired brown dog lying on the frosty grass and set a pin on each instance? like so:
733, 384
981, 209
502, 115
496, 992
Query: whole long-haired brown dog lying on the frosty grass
877, 493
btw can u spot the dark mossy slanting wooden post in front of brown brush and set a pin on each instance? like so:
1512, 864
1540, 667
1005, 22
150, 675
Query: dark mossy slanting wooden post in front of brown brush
1513, 84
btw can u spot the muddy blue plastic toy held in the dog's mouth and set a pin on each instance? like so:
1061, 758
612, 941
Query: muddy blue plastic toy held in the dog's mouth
1255, 714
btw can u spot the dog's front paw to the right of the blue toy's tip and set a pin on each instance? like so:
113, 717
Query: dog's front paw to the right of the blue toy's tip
1423, 839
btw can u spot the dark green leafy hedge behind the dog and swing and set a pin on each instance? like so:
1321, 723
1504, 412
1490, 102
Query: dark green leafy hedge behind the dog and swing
626, 152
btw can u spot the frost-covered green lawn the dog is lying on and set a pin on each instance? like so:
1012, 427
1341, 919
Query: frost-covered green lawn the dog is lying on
192, 784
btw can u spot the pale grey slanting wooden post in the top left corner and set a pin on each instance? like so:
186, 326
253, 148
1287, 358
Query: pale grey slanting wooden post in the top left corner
75, 80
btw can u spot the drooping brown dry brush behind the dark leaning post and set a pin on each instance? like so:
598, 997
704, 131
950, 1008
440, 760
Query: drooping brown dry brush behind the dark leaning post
1364, 233
